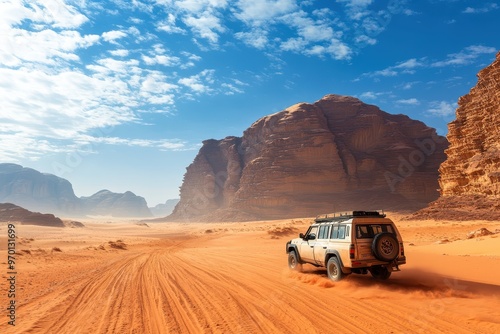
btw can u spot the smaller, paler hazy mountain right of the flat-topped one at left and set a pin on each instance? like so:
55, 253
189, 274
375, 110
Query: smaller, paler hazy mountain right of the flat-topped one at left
106, 202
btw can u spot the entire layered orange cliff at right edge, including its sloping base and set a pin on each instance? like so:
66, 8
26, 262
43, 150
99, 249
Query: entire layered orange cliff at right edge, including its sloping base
470, 176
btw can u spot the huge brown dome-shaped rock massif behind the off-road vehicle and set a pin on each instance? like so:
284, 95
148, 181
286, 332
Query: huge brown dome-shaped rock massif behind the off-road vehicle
335, 154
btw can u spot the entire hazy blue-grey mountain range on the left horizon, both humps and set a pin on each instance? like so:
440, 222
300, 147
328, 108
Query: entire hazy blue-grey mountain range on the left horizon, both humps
42, 192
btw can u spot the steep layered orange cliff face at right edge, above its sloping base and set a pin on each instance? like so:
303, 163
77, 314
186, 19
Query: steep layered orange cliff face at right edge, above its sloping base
472, 166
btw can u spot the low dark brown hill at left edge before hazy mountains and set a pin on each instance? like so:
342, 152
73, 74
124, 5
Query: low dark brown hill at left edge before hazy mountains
13, 213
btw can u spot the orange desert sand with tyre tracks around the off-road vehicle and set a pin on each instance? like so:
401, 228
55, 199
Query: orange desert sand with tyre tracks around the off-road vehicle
121, 277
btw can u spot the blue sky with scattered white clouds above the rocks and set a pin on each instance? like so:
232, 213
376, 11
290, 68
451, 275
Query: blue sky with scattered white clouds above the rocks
120, 94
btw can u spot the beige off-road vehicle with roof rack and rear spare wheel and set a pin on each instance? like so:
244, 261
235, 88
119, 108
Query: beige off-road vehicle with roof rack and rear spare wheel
354, 242
